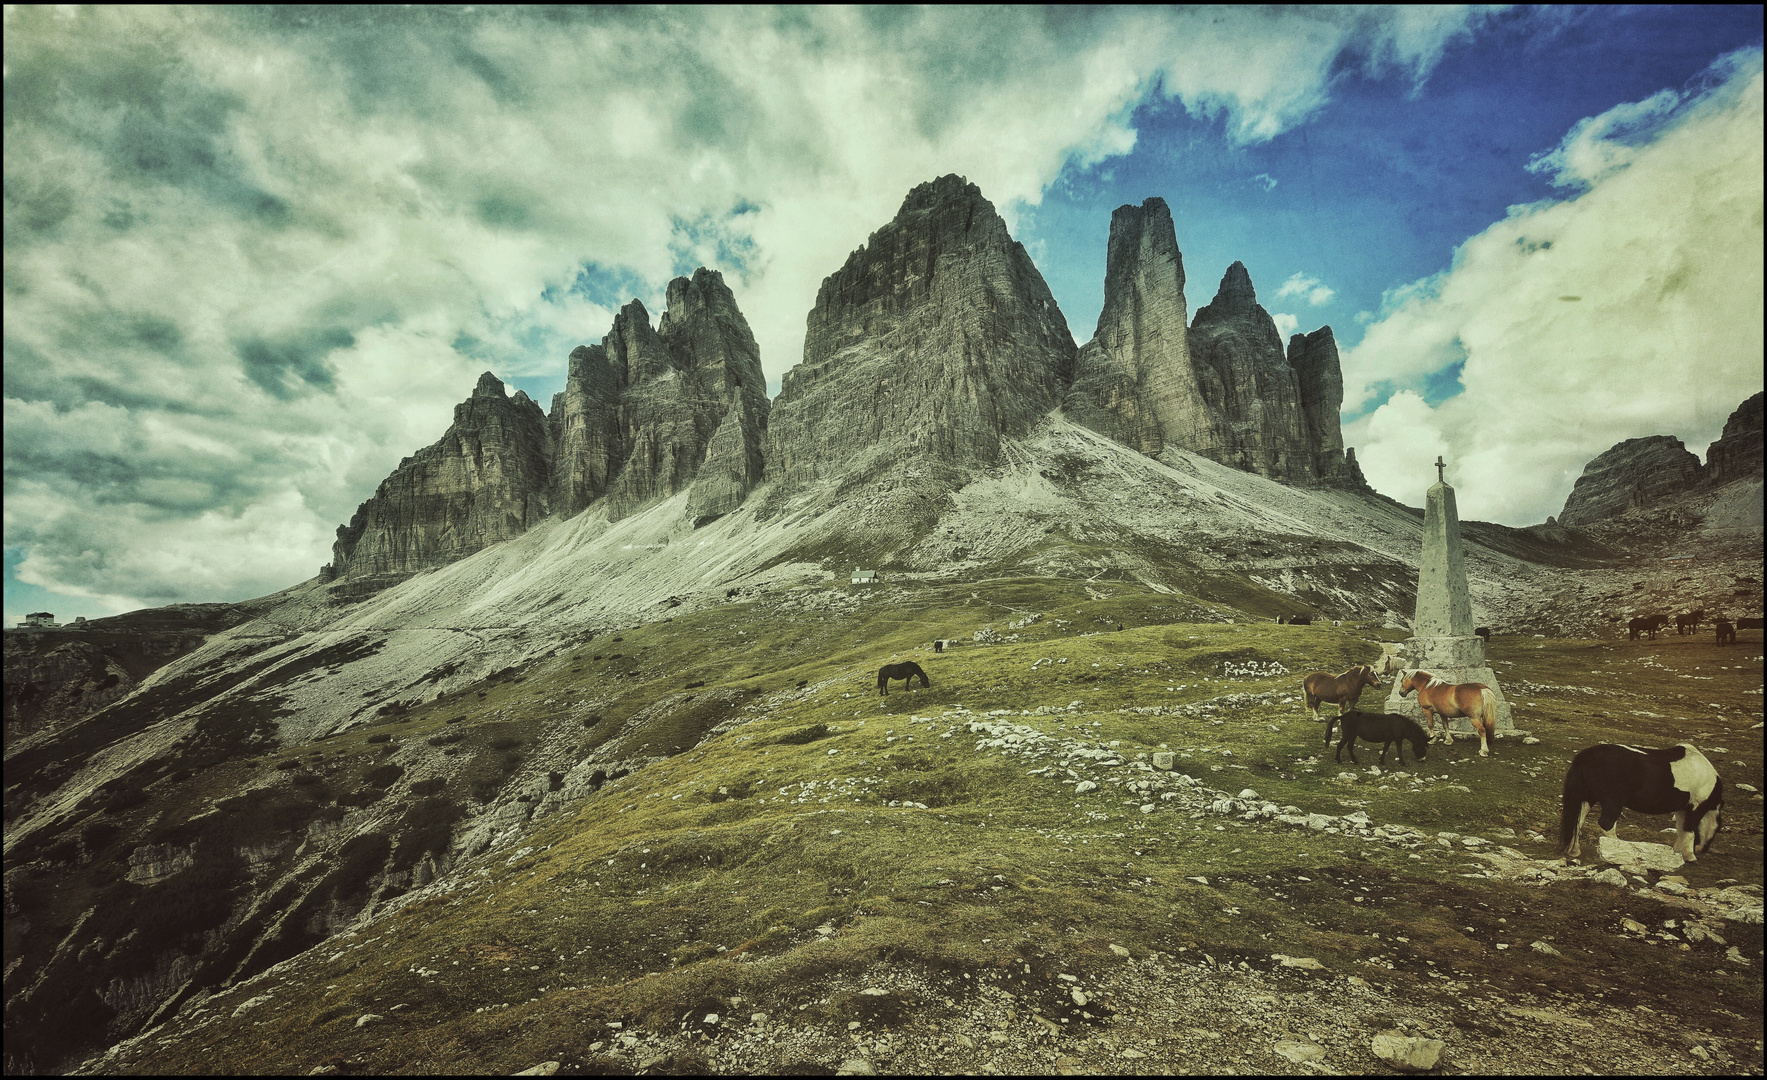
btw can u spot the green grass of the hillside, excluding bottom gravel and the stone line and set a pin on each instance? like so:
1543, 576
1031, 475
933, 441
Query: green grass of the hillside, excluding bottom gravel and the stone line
764, 858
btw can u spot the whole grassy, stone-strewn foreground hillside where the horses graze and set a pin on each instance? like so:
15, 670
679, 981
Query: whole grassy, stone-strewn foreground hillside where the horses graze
916, 881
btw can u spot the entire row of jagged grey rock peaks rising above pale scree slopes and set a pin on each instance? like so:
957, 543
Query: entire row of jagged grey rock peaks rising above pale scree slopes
929, 349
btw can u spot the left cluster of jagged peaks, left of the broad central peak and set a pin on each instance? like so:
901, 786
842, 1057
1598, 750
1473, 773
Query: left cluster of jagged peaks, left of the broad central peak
635, 422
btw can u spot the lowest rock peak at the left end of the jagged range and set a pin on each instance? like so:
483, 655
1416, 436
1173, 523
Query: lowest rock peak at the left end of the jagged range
483, 482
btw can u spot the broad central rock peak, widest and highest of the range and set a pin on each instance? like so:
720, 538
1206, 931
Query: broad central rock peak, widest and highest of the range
937, 340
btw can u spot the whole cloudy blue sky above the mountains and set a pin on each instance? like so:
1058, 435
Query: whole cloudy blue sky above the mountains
254, 257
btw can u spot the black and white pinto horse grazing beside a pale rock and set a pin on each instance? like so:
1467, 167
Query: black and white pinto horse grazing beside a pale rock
1676, 780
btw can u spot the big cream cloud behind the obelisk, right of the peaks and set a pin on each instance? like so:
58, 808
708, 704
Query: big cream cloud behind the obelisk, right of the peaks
1634, 308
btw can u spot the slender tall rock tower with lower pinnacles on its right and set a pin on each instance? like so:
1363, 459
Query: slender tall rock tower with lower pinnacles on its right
1220, 386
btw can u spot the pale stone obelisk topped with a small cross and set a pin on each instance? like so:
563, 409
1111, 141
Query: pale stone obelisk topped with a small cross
1443, 641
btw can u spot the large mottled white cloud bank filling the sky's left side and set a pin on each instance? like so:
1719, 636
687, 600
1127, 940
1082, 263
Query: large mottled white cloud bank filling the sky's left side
284, 245
